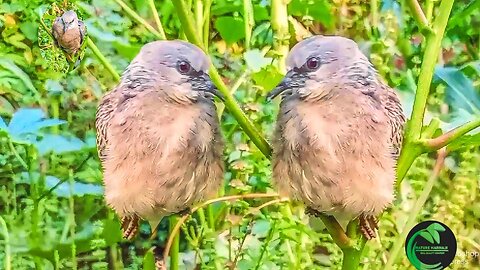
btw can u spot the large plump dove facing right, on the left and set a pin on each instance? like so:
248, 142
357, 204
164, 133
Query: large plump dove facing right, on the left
158, 136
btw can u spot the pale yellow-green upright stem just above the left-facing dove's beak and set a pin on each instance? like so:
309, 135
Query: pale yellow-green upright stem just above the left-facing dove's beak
280, 27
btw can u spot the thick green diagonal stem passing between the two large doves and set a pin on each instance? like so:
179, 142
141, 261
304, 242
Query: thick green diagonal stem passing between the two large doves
230, 103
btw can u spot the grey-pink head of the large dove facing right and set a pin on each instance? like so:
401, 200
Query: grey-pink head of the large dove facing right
176, 68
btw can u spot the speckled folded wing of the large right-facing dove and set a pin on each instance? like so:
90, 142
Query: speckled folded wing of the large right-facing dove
104, 113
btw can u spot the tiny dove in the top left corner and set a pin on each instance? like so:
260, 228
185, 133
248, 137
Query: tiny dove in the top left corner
69, 32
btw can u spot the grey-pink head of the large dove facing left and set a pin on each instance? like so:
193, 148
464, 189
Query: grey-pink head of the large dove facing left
317, 59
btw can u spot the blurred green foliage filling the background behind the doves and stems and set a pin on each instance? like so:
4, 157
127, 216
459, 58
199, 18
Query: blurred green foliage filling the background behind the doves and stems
50, 177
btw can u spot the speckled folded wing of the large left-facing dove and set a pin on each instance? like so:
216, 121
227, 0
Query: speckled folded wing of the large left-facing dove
396, 119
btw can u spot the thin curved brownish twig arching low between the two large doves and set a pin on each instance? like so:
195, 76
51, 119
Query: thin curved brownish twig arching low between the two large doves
182, 220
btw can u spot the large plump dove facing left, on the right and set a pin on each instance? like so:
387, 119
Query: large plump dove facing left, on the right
338, 132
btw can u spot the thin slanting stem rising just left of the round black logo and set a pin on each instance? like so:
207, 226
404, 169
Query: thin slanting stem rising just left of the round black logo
397, 246
